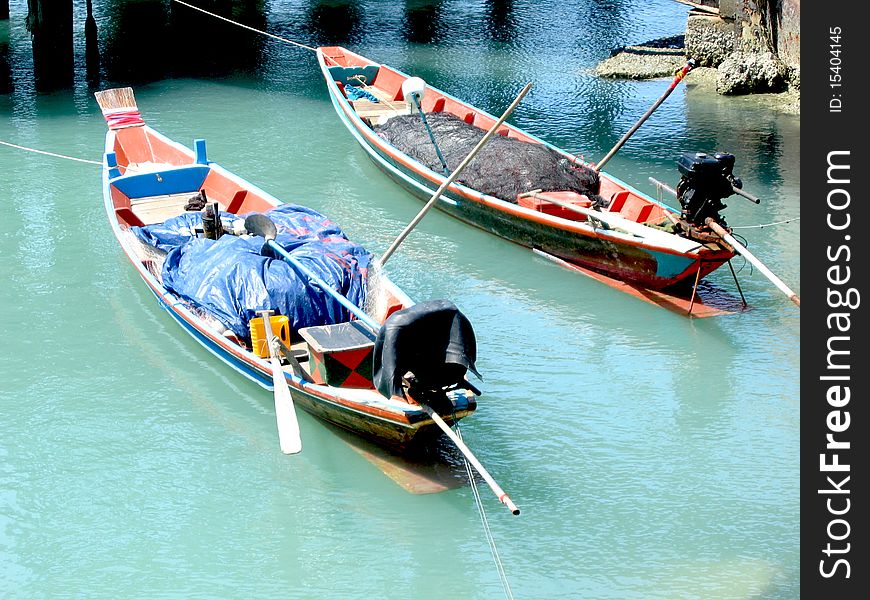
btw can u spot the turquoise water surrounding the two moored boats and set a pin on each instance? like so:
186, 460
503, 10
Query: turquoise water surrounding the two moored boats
653, 456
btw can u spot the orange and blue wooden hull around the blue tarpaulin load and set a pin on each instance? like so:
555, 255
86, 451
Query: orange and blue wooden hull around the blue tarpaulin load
148, 180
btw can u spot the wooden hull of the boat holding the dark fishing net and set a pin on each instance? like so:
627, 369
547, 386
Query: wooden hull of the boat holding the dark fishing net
630, 243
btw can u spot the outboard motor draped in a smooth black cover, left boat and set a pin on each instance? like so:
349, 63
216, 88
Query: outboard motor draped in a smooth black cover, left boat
425, 351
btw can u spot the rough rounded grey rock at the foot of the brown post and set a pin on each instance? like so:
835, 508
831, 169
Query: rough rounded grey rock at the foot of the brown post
750, 73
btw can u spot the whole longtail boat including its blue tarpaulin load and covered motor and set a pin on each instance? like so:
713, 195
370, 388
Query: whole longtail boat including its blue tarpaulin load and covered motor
164, 200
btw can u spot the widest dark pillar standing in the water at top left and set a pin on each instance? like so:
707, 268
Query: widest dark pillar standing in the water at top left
51, 33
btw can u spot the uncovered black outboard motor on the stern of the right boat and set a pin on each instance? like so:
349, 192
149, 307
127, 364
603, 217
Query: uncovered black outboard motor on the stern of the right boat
705, 181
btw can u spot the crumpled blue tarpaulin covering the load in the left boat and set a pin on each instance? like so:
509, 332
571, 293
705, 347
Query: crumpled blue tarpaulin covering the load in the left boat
232, 279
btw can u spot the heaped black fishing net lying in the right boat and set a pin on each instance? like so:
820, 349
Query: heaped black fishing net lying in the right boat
504, 168
